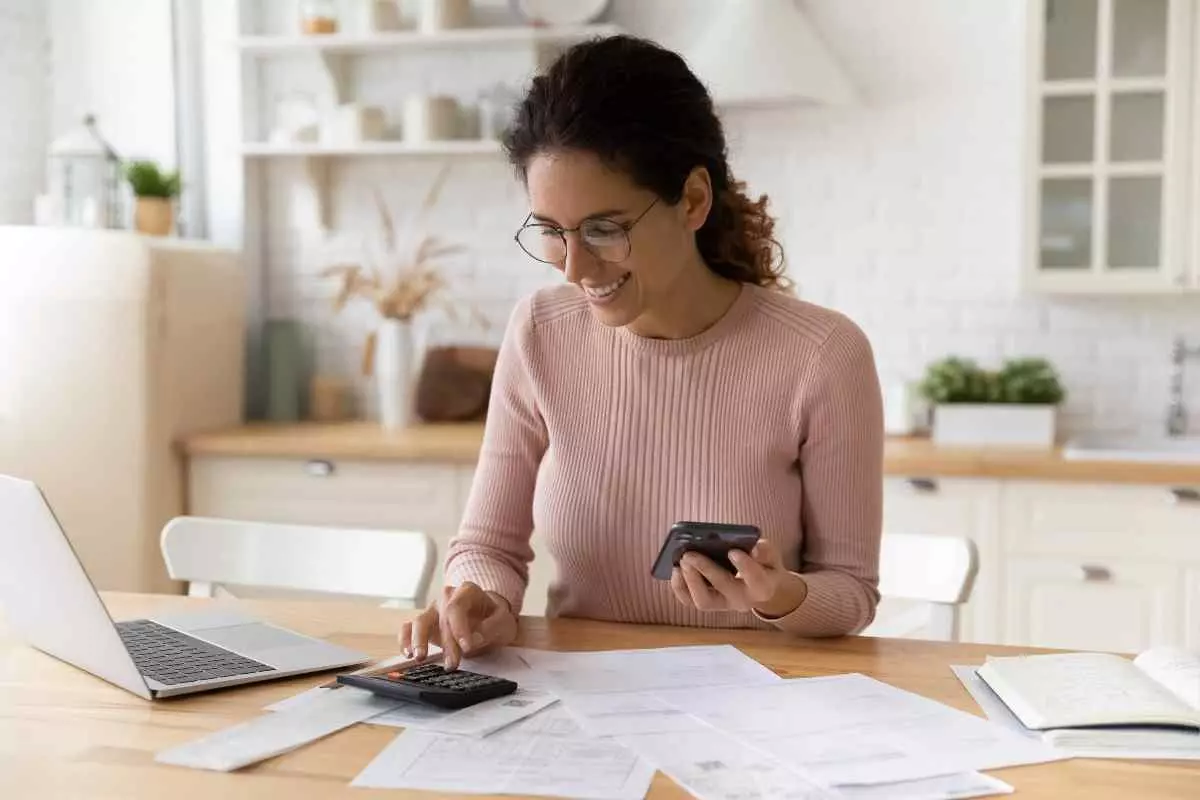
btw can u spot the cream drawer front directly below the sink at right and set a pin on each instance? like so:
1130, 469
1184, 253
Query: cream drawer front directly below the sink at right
1102, 521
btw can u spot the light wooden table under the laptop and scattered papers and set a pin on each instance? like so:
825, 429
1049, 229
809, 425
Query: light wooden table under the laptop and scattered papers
67, 735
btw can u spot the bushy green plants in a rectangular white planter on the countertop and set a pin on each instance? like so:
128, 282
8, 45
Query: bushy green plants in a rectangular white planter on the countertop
1015, 406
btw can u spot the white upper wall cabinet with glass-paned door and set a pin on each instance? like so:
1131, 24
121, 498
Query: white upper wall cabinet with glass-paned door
1111, 158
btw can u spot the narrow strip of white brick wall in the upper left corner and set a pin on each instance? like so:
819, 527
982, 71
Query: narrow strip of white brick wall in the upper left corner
23, 100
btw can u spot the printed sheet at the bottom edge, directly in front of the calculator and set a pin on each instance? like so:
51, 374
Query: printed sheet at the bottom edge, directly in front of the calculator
545, 755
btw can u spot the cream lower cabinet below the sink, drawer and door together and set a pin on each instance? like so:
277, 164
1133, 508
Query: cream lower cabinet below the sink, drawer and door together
1096, 567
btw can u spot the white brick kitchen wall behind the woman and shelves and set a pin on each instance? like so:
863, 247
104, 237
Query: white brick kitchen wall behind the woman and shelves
904, 213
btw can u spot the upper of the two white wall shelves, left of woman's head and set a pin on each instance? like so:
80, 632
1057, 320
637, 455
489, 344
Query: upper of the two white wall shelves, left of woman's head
413, 40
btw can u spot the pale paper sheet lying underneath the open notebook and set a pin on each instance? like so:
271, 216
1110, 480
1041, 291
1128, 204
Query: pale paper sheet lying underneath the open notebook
1130, 743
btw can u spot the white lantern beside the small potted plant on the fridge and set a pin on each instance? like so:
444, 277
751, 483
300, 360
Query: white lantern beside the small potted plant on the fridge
86, 179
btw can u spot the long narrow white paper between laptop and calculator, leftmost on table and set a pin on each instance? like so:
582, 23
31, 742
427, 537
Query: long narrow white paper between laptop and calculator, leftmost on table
273, 735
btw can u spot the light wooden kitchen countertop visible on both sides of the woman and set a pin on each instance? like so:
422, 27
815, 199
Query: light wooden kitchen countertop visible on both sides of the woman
459, 443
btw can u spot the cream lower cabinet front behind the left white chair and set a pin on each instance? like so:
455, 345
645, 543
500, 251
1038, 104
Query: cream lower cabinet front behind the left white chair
410, 496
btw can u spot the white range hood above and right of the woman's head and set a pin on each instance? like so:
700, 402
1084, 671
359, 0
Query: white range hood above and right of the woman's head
766, 53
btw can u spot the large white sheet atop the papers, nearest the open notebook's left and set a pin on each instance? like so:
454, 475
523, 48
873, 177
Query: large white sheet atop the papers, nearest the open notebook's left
854, 730
